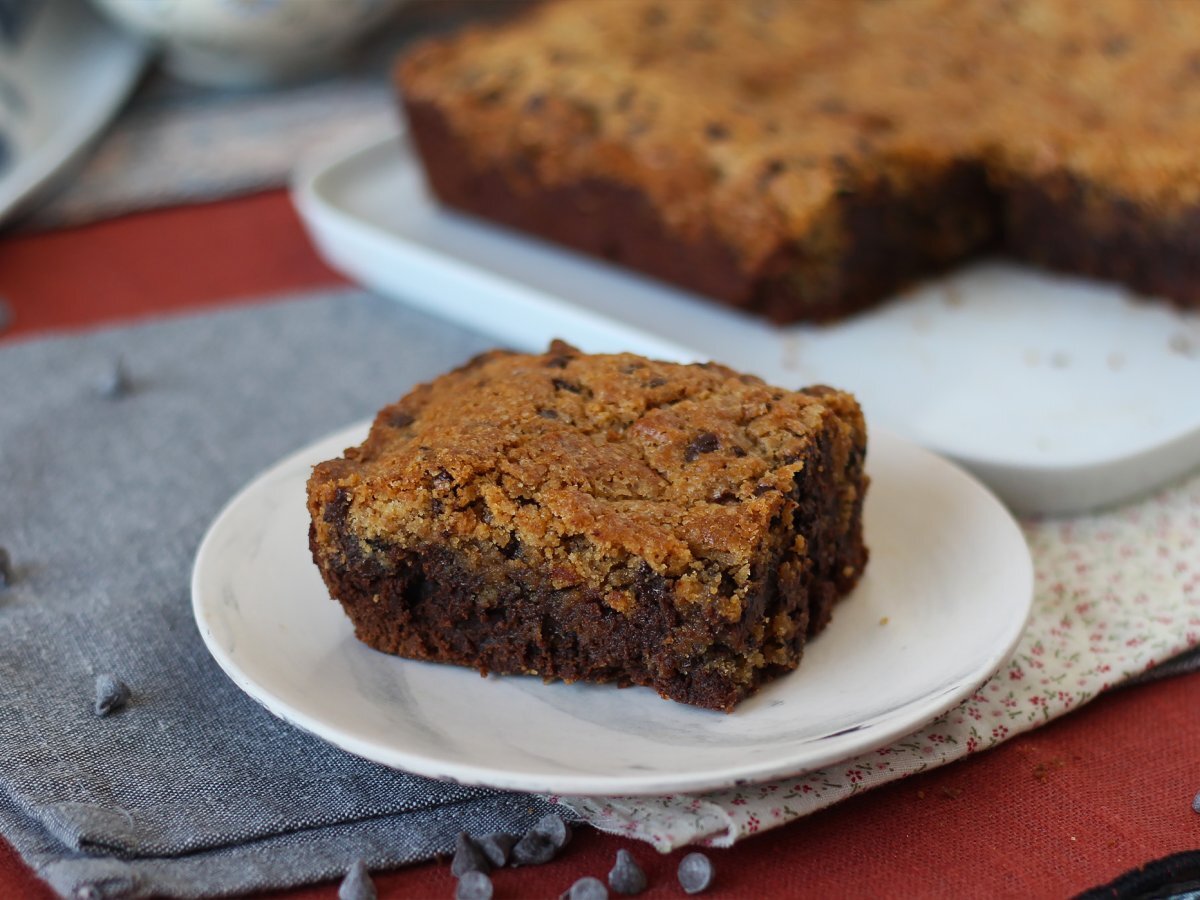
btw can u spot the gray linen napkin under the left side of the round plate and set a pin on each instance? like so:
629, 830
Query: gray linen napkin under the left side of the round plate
193, 789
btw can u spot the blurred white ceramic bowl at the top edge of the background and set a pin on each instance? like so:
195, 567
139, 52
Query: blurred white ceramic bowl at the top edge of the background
250, 43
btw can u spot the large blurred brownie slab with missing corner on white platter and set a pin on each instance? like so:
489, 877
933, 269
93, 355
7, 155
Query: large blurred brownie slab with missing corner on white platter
806, 159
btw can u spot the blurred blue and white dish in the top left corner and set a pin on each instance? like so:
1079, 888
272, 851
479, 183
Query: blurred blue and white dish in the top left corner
64, 74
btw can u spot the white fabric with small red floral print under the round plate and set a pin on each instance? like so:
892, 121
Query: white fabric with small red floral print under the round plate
1115, 595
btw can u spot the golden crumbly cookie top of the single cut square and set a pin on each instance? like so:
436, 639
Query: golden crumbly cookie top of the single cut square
685, 467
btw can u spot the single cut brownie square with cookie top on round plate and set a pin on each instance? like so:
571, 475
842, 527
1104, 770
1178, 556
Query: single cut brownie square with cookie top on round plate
598, 519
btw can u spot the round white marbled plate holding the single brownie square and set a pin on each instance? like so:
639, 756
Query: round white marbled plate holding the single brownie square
944, 602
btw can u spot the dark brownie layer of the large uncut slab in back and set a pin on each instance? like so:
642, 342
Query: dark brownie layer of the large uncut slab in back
890, 239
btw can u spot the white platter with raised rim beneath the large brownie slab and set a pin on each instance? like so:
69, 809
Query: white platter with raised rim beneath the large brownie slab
1061, 394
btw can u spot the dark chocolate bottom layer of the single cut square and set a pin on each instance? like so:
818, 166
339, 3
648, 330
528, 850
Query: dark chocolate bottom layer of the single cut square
424, 604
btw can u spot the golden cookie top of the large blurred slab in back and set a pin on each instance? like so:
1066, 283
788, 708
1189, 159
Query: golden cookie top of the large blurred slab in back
751, 119
